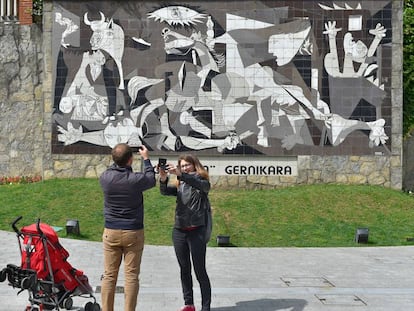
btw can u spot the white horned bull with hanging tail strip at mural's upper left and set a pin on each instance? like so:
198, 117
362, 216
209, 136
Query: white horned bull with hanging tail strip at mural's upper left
108, 37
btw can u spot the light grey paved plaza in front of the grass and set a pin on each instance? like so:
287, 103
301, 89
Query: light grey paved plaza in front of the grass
251, 279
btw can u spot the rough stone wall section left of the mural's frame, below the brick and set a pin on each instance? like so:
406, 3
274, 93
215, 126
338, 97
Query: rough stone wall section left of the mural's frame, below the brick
22, 131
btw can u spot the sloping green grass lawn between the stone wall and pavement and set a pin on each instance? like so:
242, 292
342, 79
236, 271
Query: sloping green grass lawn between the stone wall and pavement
299, 216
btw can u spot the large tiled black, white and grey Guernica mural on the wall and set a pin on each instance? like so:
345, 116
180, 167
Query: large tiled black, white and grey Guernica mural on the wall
223, 77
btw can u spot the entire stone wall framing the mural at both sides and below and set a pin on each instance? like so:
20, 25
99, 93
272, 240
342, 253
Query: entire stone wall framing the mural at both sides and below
26, 107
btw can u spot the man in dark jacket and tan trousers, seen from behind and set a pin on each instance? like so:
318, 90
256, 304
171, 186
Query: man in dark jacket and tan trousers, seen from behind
123, 235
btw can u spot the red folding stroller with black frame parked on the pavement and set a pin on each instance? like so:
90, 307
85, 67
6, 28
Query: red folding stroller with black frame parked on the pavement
45, 271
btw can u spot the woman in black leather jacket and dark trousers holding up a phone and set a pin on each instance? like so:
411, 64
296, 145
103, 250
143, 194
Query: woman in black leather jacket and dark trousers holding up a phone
190, 233
